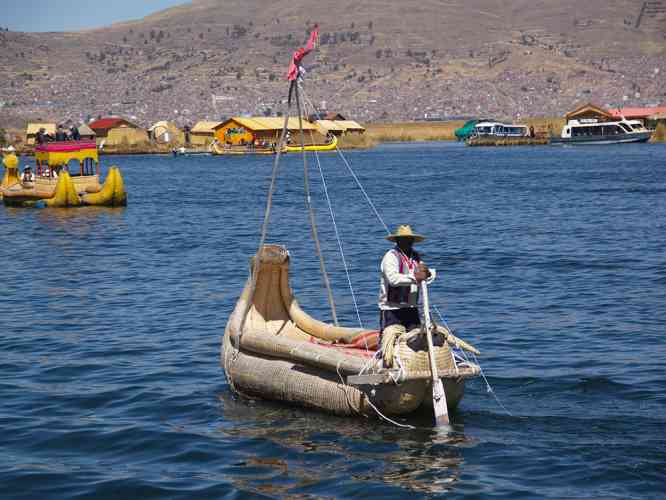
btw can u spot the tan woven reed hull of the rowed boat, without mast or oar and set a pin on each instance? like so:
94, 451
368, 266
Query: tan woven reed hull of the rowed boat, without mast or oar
279, 352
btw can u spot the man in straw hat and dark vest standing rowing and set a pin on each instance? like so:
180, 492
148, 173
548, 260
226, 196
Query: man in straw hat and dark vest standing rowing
402, 272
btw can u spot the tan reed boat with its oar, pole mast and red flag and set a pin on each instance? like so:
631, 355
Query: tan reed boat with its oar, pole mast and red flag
273, 349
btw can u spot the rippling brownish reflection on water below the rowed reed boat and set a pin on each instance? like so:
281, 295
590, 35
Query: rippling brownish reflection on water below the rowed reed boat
301, 449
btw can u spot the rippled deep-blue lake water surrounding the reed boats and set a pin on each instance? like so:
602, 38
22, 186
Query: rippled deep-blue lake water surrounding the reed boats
552, 261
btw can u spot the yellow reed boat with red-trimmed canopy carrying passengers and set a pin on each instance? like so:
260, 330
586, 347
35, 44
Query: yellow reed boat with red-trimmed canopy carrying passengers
55, 186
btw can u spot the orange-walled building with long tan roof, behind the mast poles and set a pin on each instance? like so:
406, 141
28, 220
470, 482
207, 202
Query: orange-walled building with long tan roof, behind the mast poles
252, 130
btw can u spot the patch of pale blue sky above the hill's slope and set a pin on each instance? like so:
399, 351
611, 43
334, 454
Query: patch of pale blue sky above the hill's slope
71, 15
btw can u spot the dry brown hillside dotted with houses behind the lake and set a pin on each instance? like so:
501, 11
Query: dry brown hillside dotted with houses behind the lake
377, 60
